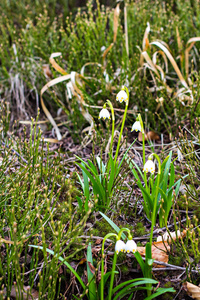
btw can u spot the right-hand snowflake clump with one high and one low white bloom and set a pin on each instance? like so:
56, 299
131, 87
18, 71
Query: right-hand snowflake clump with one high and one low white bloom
159, 191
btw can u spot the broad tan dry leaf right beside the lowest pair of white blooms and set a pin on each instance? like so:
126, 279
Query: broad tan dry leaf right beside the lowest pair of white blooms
158, 252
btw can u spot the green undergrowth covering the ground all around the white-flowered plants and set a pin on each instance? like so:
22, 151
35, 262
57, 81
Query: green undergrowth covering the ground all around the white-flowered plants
38, 190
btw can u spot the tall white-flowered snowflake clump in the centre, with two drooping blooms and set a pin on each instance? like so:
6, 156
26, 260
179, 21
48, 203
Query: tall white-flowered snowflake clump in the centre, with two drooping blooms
103, 176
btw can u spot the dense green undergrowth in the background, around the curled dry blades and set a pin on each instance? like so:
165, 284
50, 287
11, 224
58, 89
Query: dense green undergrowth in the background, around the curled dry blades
27, 43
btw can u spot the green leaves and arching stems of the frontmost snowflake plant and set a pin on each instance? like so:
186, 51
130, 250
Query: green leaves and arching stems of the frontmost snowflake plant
92, 291
